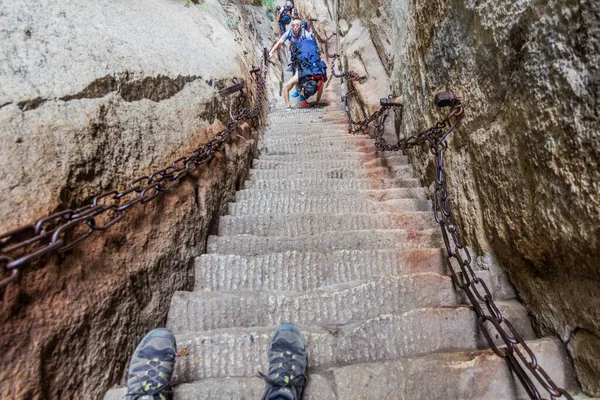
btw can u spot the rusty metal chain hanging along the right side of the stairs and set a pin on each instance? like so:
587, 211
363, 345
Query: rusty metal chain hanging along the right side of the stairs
518, 355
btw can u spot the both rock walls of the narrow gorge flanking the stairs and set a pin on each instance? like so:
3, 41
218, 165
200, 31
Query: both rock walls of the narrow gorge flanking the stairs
93, 96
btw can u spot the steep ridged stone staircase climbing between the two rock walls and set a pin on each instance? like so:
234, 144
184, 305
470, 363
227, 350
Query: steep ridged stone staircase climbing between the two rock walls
340, 240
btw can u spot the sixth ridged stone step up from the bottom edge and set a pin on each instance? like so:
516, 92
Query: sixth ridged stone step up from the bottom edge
310, 224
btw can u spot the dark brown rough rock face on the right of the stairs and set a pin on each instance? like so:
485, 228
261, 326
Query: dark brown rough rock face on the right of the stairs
523, 165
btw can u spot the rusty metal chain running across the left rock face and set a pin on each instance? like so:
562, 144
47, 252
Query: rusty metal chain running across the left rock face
66, 229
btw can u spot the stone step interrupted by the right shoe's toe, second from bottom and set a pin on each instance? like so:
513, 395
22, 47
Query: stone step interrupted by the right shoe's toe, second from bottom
239, 352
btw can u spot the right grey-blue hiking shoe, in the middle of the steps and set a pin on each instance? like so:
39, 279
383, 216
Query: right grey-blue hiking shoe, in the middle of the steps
287, 364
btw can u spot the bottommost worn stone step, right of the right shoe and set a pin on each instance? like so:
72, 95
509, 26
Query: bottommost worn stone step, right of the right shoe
465, 375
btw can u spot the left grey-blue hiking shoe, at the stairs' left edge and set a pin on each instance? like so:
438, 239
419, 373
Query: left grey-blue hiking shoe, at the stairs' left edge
151, 367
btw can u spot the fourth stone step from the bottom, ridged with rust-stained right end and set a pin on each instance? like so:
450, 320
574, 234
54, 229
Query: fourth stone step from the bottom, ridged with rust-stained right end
302, 271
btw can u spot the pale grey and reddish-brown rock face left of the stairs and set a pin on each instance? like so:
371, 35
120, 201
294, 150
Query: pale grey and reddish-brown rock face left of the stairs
91, 97
